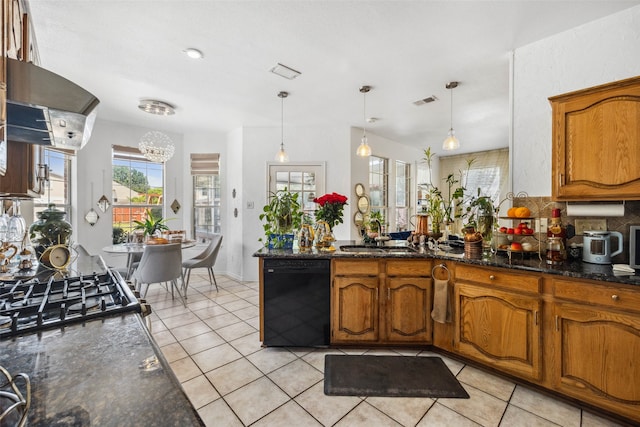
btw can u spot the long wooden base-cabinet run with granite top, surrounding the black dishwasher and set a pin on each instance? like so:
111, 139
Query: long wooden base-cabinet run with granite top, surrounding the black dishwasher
572, 329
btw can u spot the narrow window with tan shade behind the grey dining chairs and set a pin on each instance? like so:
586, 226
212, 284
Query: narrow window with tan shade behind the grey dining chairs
205, 169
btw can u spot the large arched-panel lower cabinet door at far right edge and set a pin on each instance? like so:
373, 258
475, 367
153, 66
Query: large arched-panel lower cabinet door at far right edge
596, 357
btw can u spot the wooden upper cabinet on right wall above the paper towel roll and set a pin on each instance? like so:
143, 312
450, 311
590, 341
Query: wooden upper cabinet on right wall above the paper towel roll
596, 143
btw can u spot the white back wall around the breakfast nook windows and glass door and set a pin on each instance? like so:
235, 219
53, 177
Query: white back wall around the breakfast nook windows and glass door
243, 167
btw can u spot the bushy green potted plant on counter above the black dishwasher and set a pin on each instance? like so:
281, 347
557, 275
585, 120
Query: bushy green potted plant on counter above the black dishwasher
282, 215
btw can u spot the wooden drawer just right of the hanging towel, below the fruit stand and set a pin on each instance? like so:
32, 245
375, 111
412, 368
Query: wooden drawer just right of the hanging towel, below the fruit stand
499, 277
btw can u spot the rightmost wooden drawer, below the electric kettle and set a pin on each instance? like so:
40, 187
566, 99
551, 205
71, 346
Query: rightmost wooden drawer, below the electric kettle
595, 293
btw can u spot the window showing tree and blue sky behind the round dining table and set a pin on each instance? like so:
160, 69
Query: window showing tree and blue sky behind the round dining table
138, 185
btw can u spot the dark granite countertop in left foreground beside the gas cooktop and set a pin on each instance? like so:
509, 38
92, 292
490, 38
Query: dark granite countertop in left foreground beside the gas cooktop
89, 374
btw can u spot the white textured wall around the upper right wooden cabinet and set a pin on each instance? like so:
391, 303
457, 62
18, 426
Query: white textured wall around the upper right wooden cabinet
599, 52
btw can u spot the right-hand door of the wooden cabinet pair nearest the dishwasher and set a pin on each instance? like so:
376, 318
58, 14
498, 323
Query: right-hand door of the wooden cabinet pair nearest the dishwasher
408, 310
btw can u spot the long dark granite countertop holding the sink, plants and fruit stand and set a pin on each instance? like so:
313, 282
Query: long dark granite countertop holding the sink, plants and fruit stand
519, 261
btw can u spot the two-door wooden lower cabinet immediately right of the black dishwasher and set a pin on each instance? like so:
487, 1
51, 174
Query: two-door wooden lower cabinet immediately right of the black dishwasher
381, 307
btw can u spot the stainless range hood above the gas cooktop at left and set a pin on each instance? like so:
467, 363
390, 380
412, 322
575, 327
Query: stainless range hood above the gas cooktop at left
45, 108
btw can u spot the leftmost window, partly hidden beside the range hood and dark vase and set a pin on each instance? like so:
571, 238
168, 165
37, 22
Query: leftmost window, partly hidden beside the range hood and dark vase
58, 189
